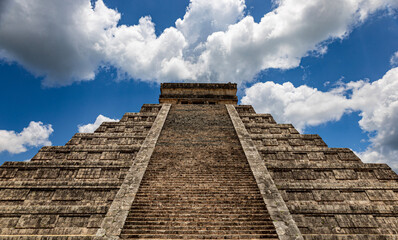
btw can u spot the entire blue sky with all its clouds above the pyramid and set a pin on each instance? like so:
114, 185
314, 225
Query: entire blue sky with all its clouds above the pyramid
328, 67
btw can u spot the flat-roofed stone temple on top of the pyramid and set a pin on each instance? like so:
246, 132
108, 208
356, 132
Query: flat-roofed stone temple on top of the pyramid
198, 93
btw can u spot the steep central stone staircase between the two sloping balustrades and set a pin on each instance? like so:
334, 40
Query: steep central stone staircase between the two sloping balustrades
198, 183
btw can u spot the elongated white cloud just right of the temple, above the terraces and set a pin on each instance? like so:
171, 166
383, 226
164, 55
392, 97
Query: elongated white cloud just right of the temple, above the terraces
303, 106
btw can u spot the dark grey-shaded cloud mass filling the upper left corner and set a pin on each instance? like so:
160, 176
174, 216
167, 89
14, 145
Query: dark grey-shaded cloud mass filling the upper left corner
56, 39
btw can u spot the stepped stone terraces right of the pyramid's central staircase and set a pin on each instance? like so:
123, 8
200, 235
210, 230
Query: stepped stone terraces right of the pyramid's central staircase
330, 192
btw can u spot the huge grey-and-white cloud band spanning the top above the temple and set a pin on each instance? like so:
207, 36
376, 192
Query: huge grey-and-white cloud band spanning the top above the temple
214, 41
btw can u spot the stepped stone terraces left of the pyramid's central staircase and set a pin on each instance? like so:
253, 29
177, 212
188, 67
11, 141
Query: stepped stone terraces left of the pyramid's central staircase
67, 190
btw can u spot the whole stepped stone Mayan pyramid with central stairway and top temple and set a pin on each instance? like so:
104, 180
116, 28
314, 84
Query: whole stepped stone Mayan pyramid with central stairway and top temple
197, 166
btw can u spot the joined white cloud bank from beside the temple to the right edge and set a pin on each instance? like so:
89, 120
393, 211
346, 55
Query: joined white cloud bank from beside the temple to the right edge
376, 102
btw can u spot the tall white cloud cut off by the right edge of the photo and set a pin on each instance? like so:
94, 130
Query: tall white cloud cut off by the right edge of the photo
378, 103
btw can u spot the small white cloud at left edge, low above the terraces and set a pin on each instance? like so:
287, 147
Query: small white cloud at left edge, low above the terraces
36, 134
